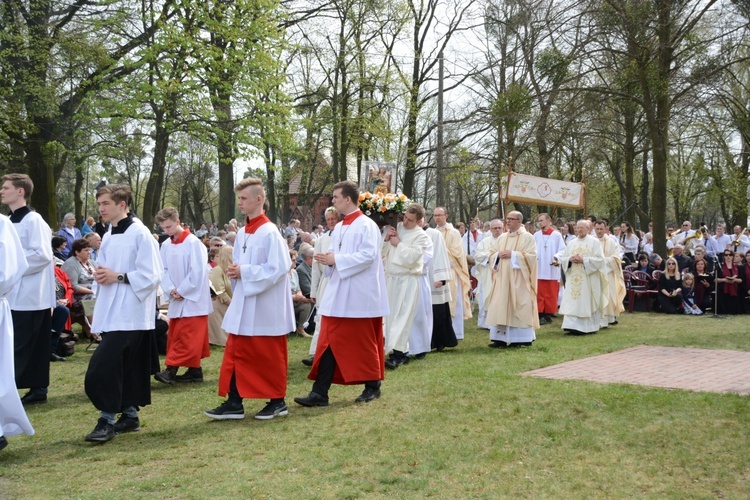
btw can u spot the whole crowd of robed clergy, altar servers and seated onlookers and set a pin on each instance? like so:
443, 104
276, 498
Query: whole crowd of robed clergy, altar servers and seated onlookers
375, 294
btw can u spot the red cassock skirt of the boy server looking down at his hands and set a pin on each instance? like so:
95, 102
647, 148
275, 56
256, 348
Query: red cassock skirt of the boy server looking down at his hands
187, 342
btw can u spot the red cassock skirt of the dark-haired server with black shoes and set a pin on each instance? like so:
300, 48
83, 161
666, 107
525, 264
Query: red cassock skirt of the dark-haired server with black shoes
357, 345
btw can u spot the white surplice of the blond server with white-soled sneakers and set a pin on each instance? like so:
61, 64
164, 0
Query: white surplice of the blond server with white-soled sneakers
263, 286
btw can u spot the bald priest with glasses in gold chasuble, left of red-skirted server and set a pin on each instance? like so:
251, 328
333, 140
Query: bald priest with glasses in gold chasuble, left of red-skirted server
513, 305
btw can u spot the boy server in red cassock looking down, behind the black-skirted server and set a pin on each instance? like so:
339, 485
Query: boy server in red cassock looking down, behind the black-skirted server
185, 286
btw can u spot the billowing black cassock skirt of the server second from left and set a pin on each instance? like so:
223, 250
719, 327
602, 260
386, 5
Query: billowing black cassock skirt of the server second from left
119, 373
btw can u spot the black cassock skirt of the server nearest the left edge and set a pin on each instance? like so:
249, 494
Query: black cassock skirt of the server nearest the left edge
31, 345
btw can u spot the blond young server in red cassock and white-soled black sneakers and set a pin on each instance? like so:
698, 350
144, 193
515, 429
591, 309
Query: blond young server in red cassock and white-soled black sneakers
260, 315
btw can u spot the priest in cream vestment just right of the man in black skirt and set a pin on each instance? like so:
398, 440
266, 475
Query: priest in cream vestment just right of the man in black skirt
460, 285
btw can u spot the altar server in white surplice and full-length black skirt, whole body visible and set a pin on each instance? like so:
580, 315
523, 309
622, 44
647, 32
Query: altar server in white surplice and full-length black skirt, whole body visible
128, 274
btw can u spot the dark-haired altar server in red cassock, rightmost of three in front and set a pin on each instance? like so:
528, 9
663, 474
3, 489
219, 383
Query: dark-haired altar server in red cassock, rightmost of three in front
350, 347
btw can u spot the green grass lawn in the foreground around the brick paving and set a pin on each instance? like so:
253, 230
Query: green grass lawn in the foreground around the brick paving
458, 424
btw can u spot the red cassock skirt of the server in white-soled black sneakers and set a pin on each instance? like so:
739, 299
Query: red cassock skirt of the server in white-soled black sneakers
259, 365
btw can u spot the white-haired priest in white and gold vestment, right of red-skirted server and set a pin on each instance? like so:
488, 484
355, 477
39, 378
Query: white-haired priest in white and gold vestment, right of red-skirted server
583, 299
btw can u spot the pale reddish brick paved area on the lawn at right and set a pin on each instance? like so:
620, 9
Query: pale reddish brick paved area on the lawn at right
672, 367
